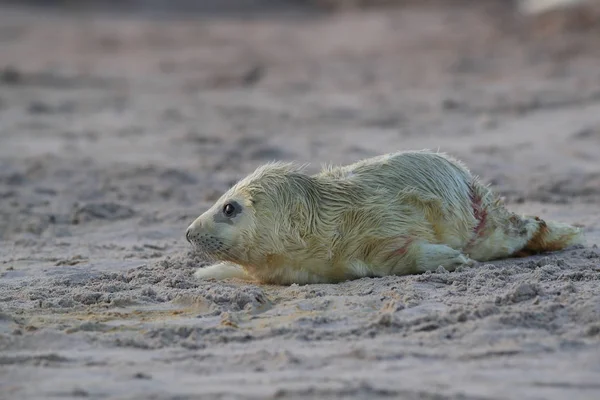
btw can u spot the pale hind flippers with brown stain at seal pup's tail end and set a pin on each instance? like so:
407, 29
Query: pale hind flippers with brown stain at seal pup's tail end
552, 236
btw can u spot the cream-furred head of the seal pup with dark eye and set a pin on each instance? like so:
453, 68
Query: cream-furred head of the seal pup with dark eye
257, 218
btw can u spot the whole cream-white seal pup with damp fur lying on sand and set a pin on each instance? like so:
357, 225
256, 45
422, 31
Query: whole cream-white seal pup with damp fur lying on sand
394, 214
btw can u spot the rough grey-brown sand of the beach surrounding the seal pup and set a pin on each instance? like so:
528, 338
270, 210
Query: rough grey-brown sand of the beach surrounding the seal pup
116, 131
